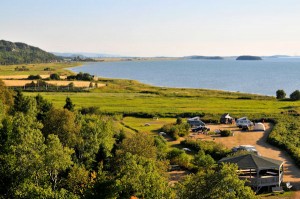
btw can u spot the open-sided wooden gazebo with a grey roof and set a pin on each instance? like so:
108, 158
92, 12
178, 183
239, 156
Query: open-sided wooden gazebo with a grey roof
259, 171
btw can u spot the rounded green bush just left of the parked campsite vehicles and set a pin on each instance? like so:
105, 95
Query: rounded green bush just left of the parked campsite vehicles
176, 130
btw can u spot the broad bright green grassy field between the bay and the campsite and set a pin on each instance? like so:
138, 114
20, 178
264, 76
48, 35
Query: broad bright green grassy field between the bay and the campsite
211, 105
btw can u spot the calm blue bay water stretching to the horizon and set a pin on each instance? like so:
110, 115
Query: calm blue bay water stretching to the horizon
262, 77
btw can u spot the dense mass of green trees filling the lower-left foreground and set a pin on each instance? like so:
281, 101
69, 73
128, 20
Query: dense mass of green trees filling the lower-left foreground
48, 152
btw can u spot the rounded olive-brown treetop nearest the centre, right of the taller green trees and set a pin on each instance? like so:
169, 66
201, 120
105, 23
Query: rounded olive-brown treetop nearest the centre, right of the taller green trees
139, 144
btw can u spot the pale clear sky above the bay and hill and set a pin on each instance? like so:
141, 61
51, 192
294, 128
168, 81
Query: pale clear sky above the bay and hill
155, 27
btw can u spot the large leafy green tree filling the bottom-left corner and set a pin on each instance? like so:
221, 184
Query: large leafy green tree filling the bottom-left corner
21, 153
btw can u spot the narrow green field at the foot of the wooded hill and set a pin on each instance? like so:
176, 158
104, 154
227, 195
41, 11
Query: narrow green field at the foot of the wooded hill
38, 69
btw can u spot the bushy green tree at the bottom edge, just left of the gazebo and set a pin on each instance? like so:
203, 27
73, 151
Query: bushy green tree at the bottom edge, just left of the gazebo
212, 184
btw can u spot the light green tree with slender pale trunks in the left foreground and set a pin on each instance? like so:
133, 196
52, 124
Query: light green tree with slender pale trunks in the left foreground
57, 158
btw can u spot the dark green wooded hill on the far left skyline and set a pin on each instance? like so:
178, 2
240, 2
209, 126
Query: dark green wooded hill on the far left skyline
21, 53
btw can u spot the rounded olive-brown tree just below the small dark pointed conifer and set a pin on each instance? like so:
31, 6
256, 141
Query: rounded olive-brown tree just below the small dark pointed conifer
64, 124
